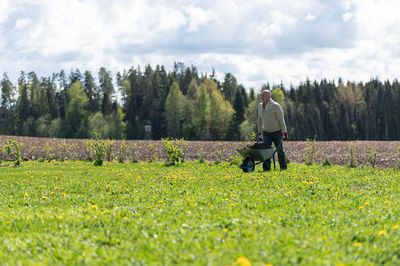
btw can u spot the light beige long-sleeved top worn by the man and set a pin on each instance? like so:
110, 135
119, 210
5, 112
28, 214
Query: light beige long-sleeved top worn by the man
271, 118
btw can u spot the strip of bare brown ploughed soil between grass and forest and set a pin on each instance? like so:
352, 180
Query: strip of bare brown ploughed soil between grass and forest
335, 151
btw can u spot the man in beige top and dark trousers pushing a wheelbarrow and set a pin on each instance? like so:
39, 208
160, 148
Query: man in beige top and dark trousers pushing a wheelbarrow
271, 123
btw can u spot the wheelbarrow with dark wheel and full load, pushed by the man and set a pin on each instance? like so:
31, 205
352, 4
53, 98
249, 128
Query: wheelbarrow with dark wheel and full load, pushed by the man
256, 154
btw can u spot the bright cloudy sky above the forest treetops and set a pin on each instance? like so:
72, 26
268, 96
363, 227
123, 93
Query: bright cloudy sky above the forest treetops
258, 41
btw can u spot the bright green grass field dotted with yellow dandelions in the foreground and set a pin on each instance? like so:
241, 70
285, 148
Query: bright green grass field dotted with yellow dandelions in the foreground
197, 213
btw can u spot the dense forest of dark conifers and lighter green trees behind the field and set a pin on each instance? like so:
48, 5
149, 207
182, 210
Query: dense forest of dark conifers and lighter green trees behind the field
183, 103
